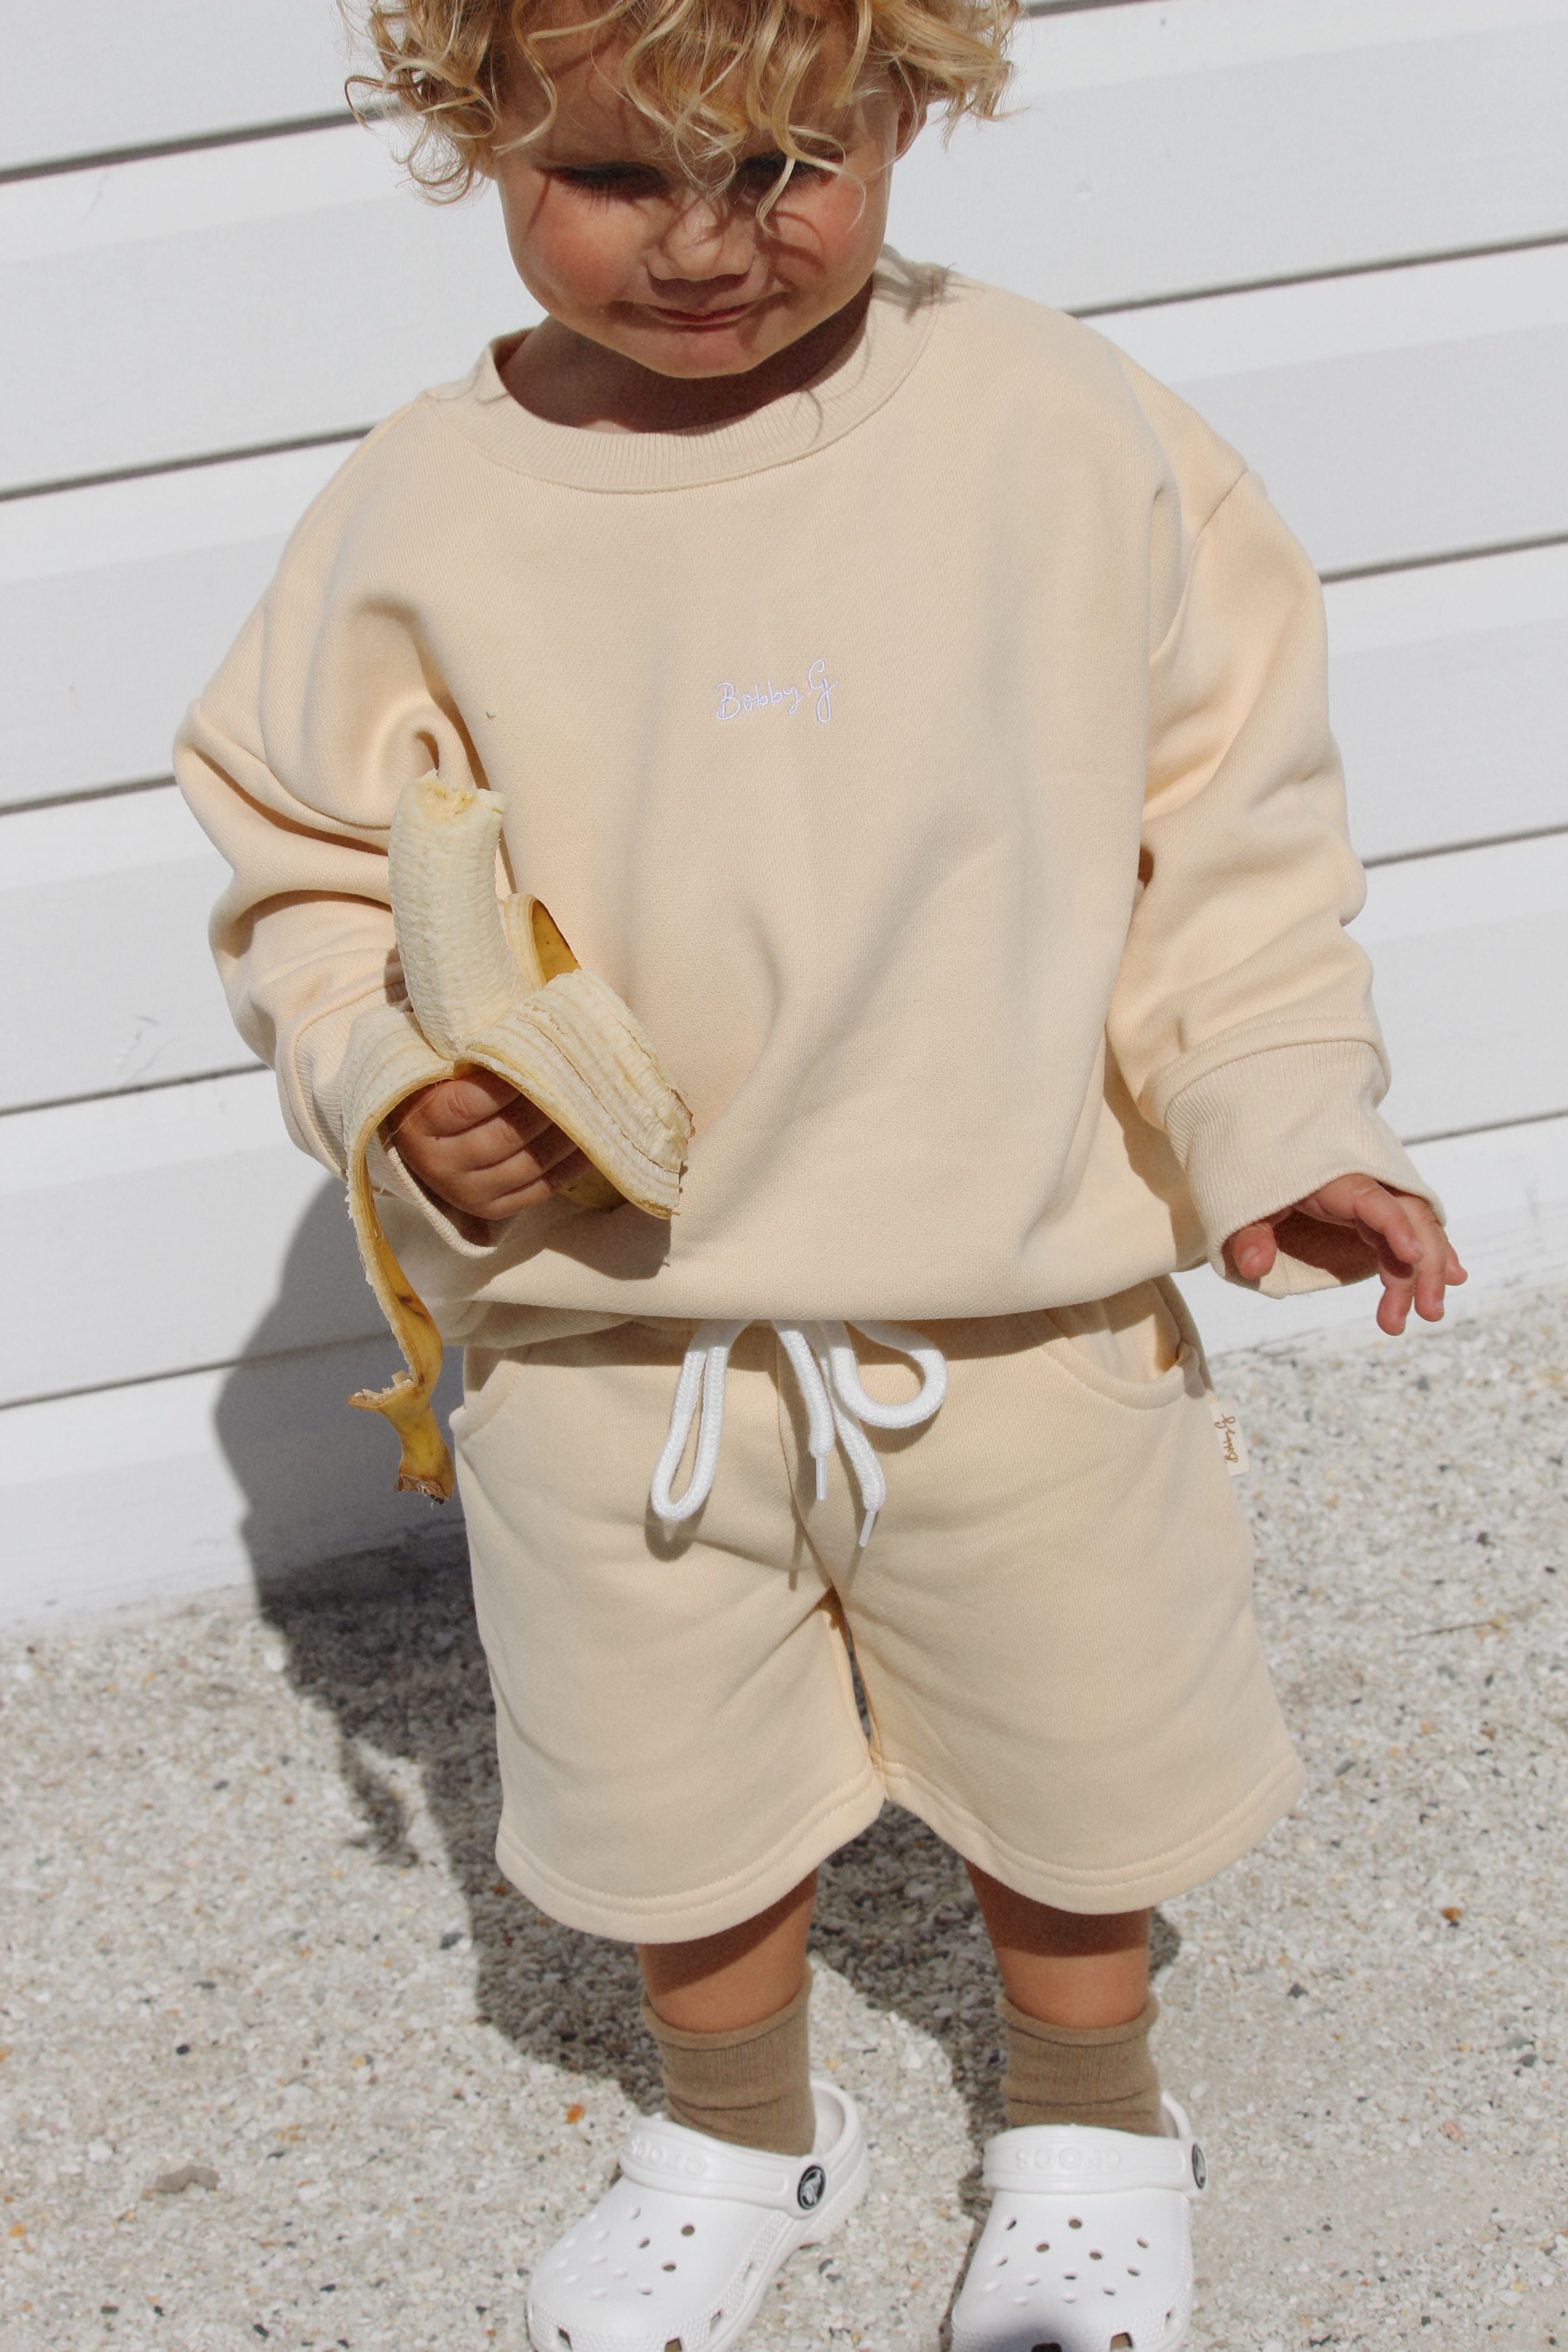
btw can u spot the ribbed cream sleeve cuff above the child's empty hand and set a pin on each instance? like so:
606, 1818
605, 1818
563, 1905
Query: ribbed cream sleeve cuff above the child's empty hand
1261, 1132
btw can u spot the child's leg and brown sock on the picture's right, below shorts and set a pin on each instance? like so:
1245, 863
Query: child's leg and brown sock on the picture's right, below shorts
1078, 2012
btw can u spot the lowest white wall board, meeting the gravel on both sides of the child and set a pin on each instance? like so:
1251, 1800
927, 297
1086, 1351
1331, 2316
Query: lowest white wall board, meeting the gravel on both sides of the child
222, 1478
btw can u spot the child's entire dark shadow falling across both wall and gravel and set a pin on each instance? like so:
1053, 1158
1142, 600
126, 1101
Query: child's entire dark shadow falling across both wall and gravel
382, 1636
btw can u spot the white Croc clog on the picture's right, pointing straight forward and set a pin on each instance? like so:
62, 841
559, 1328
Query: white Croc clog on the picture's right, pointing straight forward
1087, 2245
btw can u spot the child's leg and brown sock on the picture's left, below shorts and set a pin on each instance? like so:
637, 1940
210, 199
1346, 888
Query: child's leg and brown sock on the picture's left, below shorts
730, 2019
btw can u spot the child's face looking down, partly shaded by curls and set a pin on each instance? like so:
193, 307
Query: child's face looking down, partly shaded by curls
622, 250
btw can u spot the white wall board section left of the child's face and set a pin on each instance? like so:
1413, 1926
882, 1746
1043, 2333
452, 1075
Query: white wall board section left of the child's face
314, 298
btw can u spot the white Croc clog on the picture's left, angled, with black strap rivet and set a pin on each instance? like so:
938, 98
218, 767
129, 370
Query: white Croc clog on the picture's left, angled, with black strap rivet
690, 2236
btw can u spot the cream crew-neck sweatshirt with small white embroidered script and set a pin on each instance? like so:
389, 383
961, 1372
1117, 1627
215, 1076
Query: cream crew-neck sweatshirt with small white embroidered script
934, 761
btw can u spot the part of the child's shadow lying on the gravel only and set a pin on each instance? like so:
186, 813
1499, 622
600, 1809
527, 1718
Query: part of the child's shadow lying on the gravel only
398, 1664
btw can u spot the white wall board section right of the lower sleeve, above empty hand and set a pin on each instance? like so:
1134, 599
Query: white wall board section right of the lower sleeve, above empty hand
1470, 958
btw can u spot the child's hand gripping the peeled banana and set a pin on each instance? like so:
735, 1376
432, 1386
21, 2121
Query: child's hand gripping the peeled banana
481, 1147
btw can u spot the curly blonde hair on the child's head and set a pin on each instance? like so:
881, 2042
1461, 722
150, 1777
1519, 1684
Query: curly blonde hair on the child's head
709, 74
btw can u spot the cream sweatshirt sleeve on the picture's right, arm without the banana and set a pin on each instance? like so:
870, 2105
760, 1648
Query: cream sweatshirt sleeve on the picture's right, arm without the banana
1242, 1017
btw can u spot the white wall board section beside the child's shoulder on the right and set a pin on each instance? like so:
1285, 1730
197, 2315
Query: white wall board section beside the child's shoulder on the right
1395, 417
